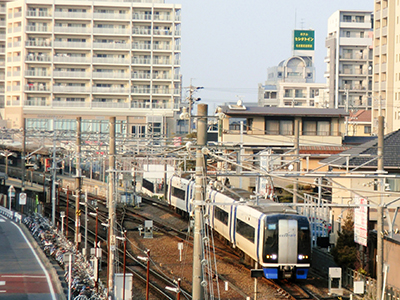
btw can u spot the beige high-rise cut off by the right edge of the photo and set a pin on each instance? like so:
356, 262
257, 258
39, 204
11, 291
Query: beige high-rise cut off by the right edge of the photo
386, 78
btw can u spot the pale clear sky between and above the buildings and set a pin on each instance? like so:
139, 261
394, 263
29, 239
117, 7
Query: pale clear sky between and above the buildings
227, 46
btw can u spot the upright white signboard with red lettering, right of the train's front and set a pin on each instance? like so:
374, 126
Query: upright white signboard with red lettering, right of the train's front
361, 221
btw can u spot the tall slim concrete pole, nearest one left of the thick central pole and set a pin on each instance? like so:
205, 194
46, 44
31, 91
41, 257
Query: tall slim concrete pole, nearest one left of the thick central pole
111, 209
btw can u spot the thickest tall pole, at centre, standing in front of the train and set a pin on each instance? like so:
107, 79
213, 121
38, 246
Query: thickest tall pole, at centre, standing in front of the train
197, 290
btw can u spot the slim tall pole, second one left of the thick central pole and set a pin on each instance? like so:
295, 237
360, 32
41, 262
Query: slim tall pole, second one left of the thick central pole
78, 181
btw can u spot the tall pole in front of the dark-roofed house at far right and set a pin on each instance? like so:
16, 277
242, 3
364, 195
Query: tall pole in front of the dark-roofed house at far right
380, 224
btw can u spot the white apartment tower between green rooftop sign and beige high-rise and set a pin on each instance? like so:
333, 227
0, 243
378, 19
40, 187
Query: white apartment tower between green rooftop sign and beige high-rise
349, 59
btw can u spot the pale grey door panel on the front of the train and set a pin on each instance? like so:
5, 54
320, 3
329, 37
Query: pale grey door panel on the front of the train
287, 246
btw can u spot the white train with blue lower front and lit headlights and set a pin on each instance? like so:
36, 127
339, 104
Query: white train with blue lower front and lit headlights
275, 236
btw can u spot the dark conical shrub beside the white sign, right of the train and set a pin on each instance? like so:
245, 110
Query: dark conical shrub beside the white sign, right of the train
345, 251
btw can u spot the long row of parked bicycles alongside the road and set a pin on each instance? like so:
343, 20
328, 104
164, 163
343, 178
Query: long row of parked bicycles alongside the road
81, 283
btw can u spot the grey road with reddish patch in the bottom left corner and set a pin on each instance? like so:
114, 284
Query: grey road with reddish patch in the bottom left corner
22, 274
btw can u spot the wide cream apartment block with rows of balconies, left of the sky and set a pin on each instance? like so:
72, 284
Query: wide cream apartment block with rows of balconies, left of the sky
94, 59
